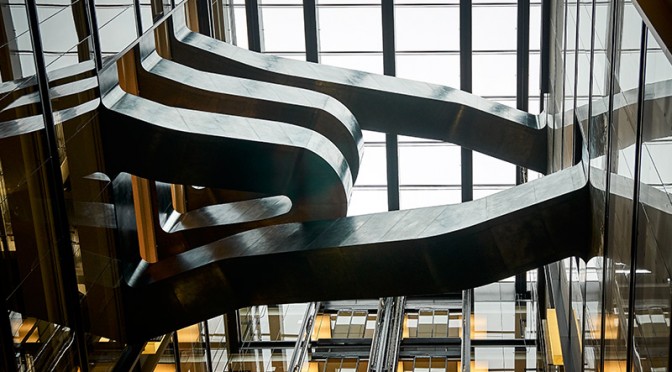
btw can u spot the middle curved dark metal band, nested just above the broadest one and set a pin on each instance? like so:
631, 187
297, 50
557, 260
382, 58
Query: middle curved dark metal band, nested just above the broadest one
172, 84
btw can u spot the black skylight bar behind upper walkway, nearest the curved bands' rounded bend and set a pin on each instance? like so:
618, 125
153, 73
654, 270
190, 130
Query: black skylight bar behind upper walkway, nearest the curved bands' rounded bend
391, 140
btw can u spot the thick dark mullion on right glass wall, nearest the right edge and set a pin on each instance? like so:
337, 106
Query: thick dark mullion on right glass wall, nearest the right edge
634, 235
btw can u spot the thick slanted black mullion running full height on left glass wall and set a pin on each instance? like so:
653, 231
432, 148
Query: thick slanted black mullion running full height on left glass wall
63, 250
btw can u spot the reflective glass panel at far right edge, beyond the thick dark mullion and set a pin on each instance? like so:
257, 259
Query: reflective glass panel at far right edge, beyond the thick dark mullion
652, 303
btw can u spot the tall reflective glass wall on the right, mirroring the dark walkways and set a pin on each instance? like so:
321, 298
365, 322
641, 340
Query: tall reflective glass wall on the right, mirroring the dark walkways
612, 78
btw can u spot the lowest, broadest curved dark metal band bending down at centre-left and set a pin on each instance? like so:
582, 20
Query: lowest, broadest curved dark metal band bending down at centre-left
209, 148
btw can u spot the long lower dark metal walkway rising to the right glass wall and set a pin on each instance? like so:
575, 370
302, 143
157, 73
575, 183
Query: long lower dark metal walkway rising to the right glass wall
501, 235
